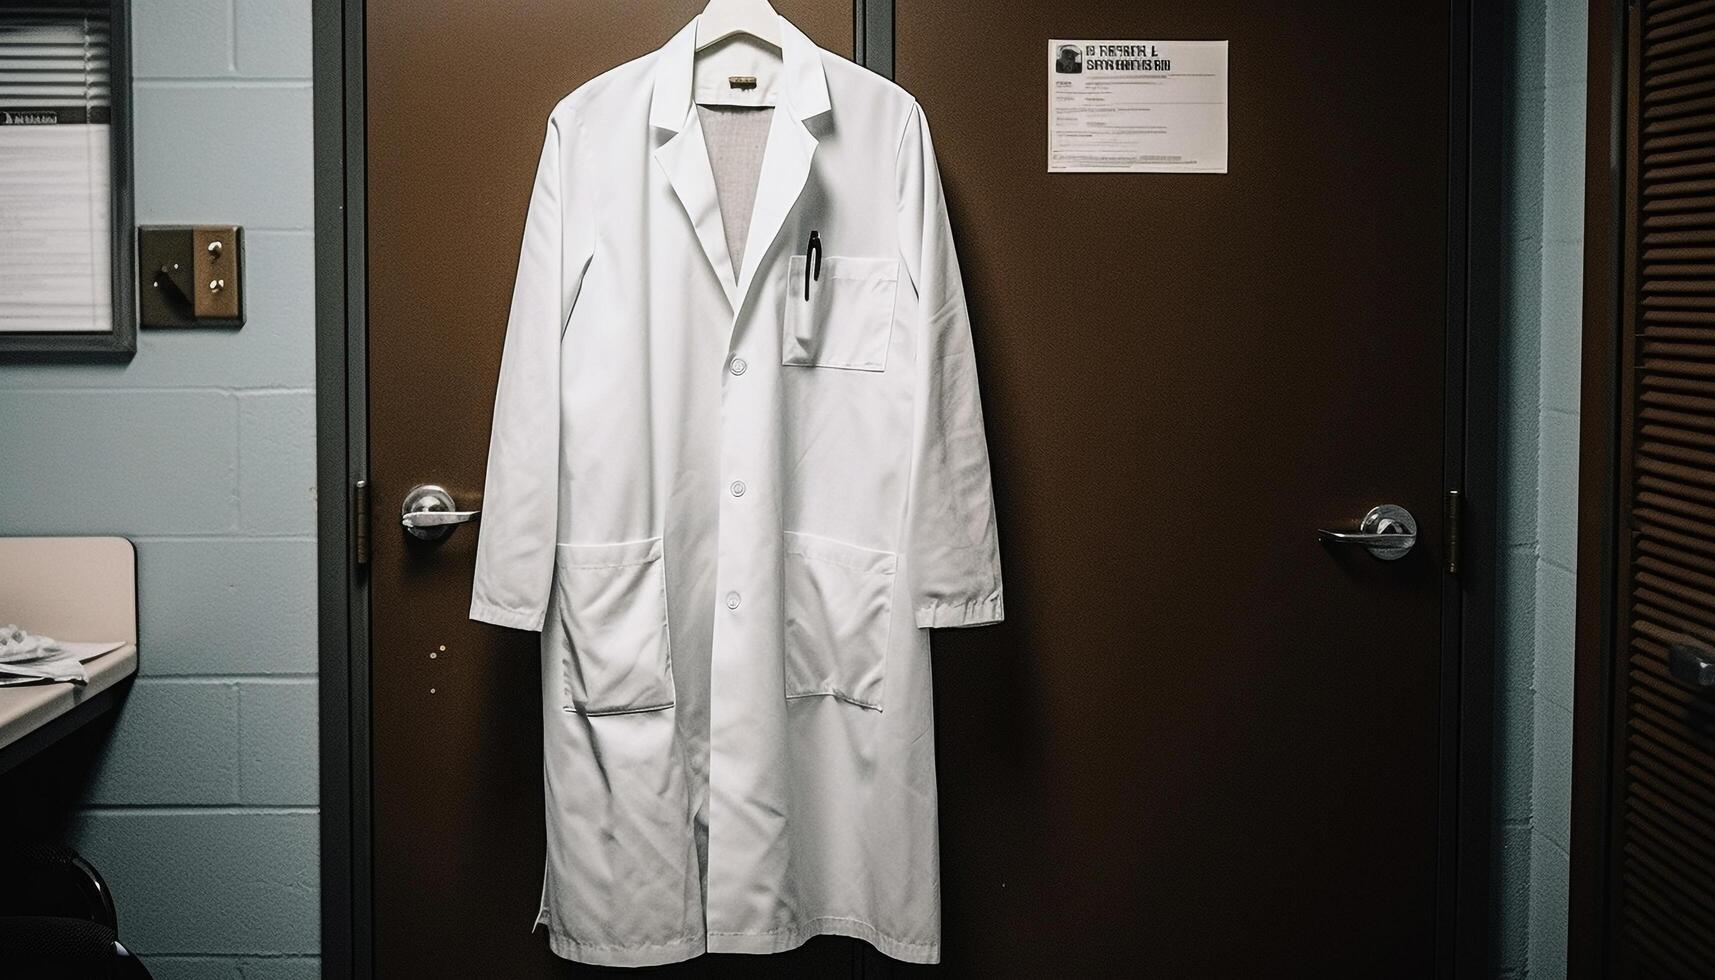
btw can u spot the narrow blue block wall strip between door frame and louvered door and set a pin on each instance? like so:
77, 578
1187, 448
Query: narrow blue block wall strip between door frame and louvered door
1539, 480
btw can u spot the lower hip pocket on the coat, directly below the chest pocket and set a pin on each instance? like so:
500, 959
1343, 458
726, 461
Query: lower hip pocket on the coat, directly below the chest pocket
838, 619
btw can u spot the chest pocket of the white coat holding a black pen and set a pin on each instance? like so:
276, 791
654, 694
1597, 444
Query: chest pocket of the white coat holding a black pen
848, 320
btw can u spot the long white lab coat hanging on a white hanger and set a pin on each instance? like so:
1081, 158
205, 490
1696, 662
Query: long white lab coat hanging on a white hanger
735, 512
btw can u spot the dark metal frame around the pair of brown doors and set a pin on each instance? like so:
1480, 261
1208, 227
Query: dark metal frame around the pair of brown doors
342, 423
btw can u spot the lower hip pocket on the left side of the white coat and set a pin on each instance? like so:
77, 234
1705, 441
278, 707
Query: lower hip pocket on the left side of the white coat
613, 627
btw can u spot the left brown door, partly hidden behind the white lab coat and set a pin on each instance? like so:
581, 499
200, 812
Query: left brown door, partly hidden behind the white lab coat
457, 97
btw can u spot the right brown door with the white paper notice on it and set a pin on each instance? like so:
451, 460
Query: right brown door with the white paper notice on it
1203, 744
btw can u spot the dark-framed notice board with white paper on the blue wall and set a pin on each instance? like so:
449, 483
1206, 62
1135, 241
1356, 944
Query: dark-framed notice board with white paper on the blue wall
68, 270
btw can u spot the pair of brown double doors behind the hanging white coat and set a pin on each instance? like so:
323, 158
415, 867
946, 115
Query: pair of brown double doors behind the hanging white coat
1203, 744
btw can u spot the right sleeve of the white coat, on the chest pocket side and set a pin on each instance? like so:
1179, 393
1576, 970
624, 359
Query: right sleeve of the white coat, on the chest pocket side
953, 550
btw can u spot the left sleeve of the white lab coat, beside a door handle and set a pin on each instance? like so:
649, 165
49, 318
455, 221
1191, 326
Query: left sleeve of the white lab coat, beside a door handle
521, 504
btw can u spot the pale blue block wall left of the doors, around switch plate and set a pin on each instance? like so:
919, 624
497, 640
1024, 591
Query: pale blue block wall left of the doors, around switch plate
202, 811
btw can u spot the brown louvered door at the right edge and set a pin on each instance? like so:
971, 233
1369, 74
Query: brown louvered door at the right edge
1644, 821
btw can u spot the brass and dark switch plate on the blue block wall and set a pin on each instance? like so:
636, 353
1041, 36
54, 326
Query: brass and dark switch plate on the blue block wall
191, 275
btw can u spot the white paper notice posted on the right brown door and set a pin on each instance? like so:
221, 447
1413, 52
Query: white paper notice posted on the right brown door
1136, 107
